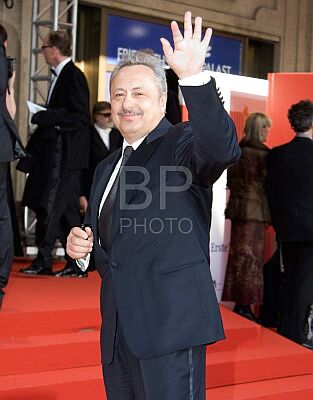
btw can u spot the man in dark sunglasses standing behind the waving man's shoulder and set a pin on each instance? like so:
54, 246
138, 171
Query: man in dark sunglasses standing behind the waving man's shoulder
104, 139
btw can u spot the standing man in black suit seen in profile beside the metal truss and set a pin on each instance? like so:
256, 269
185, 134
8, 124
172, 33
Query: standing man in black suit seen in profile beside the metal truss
60, 150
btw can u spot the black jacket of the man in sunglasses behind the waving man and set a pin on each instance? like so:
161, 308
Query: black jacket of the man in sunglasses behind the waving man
98, 152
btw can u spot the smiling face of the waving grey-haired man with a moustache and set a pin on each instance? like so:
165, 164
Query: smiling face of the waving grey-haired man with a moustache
136, 102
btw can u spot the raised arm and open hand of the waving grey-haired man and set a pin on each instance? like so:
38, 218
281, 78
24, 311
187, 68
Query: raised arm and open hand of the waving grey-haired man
208, 143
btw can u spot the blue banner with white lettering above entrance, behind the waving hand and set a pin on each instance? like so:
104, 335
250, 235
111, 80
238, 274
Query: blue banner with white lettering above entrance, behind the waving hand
127, 35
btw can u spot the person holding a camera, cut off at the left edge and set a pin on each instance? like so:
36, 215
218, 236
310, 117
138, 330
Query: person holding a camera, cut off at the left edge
11, 148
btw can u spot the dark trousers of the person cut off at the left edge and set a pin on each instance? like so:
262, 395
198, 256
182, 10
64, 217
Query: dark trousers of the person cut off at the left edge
6, 232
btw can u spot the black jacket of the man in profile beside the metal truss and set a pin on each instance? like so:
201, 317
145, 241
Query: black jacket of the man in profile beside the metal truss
61, 139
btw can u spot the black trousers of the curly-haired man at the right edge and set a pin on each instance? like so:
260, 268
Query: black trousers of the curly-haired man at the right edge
297, 294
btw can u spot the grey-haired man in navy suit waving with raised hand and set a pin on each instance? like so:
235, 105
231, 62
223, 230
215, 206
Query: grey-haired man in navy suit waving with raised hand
159, 308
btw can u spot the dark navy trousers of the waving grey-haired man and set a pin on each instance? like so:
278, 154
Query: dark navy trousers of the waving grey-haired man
174, 376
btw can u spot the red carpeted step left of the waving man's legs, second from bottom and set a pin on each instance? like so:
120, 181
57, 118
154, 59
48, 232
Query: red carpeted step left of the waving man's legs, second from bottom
50, 352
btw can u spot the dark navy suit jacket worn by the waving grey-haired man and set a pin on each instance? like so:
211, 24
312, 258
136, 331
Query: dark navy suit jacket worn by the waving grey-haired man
156, 272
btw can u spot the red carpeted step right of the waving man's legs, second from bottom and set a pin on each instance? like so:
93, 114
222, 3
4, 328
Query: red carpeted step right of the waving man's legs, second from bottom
268, 356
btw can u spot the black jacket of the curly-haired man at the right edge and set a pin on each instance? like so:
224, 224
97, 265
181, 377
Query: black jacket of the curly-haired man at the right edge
290, 189
